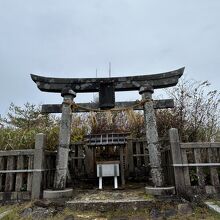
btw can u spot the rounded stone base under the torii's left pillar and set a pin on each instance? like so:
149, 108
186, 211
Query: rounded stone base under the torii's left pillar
56, 194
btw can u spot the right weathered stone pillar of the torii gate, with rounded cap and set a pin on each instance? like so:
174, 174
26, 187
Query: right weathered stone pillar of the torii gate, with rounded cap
152, 136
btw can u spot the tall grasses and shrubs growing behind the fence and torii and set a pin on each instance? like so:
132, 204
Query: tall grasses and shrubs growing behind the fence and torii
196, 115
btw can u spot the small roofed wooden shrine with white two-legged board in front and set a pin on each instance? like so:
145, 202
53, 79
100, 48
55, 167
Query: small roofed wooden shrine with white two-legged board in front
112, 154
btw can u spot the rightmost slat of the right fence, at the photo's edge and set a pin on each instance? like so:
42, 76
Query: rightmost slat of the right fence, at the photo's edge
212, 158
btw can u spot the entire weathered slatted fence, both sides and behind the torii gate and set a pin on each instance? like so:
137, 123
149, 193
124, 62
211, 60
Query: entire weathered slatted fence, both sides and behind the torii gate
25, 173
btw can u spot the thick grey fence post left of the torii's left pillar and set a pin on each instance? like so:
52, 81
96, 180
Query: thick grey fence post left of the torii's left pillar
37, 179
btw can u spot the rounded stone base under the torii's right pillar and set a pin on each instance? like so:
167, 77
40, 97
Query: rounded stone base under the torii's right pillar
159, 191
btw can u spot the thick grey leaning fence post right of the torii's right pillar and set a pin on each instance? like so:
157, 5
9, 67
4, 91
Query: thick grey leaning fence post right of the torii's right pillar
177, 159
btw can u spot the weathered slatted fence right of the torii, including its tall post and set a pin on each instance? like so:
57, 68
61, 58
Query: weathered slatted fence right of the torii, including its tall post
196, 165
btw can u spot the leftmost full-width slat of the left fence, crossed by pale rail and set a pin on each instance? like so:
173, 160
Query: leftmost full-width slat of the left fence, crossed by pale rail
10, 177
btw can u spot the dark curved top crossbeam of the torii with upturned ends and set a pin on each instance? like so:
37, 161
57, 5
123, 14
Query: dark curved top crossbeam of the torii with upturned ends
82, 85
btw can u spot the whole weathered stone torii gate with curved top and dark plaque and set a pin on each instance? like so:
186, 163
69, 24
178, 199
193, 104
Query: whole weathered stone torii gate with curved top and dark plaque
69, 87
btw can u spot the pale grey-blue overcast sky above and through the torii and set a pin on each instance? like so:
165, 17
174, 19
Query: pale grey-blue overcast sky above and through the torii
69, 38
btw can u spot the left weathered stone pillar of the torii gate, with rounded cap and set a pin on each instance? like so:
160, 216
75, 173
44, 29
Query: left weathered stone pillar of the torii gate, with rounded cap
64, 139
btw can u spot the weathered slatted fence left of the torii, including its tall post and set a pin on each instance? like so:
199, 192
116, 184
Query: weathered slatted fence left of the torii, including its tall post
24, 173
